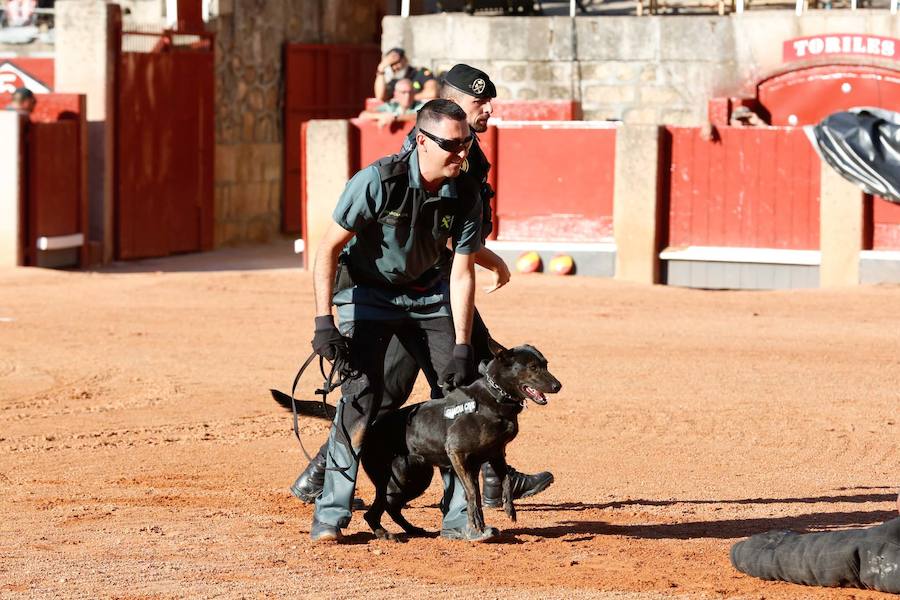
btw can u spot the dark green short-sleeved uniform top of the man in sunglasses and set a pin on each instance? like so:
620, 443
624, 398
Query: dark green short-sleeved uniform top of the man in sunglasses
394, 261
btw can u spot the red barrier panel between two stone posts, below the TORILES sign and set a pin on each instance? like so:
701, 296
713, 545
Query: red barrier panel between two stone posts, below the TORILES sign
756, 188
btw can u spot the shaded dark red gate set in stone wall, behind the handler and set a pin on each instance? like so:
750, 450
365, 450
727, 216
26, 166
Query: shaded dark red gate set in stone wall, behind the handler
321, 82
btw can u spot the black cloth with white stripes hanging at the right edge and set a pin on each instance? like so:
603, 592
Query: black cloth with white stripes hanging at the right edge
863, 145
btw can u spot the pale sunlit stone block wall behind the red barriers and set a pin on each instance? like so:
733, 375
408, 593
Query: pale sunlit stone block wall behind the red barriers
637, 69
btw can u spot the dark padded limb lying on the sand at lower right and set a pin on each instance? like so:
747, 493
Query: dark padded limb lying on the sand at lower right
864, 558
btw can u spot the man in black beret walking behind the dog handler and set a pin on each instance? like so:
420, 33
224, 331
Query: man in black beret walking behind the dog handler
400, 368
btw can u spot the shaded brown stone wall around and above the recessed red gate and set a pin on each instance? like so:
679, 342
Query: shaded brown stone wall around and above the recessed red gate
250, 35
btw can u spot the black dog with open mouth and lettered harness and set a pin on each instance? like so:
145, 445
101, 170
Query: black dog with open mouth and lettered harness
473, 424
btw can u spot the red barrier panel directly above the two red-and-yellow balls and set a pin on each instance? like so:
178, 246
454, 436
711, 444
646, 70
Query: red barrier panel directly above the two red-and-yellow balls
555, 183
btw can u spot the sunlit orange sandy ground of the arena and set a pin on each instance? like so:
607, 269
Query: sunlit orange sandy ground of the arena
142, 457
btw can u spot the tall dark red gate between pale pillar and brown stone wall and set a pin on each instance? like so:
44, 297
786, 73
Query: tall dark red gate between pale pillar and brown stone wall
164, 144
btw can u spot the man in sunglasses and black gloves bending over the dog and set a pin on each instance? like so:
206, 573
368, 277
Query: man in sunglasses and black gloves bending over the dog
381, 264
